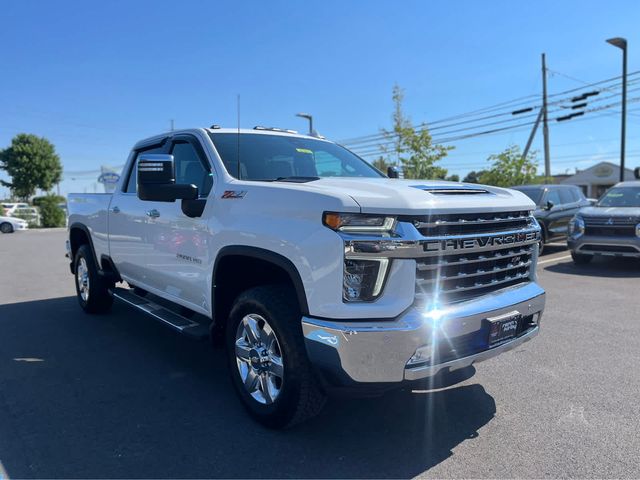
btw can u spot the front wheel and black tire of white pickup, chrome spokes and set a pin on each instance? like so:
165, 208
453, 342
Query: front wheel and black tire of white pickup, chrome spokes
267, 358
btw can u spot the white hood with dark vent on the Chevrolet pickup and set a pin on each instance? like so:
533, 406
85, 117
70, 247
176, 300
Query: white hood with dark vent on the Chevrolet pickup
396, 196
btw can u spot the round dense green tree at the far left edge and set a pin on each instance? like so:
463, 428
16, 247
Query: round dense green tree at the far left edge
32, 163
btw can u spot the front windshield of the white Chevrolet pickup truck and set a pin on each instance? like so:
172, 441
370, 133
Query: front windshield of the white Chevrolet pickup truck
274, 157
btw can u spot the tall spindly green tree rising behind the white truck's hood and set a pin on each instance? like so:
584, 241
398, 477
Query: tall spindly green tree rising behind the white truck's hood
414, 148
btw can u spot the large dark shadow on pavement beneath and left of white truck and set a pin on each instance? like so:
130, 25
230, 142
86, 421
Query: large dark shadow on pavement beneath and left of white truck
119, 395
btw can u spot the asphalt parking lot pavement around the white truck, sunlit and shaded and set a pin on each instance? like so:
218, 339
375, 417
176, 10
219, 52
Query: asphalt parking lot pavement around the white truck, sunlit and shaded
121, 396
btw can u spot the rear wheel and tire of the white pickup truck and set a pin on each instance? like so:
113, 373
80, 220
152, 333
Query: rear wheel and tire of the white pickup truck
92, 289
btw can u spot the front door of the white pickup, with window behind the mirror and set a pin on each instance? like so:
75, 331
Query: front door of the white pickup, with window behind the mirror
179, 256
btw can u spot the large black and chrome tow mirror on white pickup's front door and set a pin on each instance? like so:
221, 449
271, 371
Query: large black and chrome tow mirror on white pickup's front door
157, 180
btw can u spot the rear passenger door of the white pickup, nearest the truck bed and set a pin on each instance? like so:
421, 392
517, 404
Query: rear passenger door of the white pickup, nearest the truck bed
129, 239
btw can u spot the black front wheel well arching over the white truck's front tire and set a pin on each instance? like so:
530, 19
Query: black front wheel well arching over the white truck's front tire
234, 274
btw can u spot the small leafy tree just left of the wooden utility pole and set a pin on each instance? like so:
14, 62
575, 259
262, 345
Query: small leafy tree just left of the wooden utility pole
509, 168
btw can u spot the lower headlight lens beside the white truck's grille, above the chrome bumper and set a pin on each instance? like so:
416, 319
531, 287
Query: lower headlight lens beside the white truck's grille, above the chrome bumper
363, 279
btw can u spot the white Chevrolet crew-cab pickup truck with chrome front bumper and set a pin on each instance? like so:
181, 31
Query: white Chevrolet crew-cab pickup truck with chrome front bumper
317, 271
